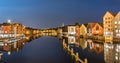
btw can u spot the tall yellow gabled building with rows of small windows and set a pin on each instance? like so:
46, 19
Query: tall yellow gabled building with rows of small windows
107, 23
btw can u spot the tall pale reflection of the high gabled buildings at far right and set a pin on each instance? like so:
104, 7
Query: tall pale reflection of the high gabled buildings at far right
112, 53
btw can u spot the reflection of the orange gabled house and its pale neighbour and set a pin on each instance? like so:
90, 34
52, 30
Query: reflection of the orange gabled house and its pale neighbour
95, 47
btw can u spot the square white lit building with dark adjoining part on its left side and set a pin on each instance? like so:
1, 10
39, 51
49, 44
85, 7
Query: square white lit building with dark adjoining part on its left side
69, 30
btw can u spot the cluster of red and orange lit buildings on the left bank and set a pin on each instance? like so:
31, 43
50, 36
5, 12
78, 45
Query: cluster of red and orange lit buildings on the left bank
8, 28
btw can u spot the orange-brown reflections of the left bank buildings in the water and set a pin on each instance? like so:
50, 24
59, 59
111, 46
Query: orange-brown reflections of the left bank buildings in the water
15, 45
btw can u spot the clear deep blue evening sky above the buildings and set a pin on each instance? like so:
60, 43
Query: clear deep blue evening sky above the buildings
52, 13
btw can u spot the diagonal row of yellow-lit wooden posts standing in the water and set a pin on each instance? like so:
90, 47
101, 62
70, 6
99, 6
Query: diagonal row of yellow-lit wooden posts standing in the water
75, 55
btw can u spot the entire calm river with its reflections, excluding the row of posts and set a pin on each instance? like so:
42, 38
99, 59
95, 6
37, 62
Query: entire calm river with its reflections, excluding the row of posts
48, 49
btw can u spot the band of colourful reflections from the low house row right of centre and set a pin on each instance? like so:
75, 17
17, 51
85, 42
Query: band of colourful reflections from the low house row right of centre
85, 43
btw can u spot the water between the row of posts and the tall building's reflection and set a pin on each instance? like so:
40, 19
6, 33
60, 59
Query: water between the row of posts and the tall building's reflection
86, 48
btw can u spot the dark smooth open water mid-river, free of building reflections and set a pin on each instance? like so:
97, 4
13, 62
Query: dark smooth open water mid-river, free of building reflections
41, 50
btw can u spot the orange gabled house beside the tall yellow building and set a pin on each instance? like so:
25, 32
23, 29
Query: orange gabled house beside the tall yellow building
98, 29
